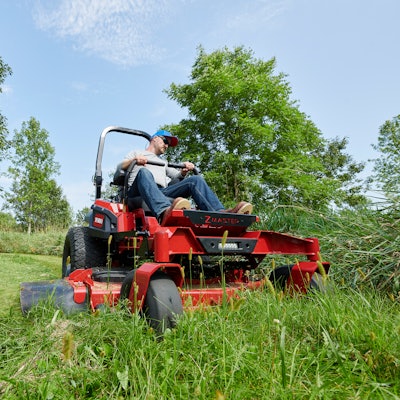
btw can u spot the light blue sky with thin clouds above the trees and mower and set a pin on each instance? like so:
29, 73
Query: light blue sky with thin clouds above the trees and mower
81, 65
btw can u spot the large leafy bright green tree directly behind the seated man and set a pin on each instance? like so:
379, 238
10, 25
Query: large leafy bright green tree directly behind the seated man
250, 139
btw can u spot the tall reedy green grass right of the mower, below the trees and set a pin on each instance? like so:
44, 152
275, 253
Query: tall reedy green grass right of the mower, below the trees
363, 246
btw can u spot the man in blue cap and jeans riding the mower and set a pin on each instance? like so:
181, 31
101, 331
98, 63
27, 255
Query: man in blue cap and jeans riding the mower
151, 182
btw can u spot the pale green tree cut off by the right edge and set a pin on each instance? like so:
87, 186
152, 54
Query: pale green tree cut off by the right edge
386, 172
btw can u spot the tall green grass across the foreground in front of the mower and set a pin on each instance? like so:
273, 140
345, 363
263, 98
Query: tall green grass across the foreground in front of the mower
340, 345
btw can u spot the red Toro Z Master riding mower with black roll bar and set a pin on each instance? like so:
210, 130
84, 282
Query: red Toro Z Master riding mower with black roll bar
196, 258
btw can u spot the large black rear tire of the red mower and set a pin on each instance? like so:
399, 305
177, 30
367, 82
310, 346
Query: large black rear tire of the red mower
82, 251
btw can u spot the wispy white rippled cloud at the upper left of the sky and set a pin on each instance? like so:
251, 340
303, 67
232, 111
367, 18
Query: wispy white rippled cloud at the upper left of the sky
119, 31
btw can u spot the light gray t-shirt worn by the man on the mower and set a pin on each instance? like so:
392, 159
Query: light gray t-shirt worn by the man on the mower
162, 173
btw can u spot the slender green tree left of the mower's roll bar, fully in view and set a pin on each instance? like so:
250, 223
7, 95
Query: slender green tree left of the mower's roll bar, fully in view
34, 198
